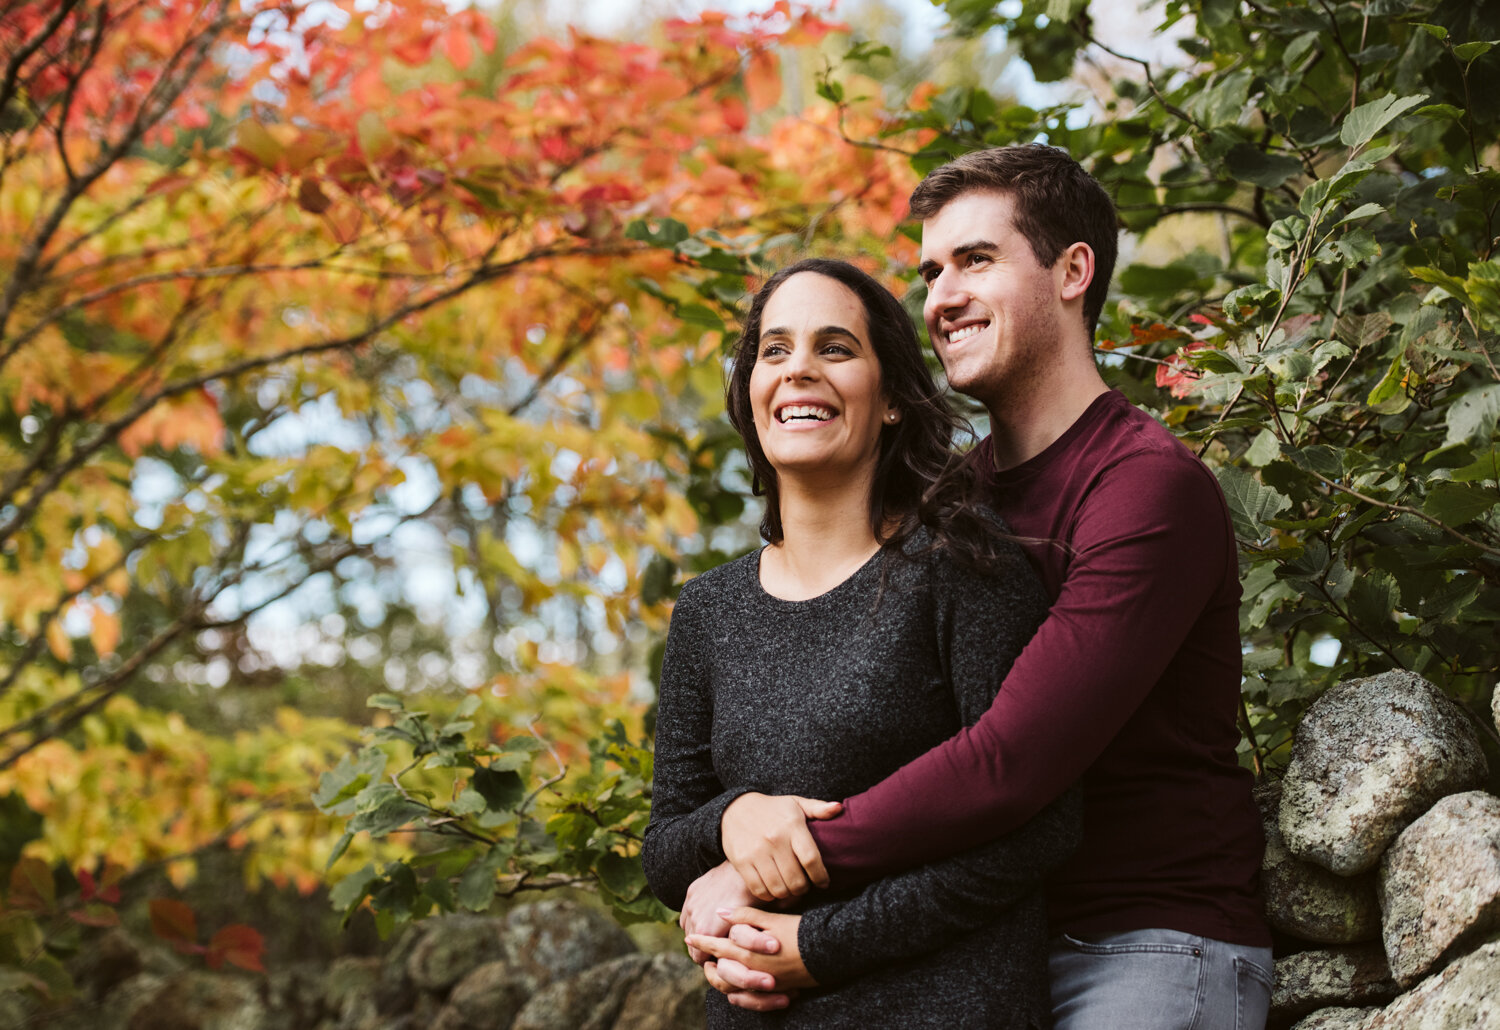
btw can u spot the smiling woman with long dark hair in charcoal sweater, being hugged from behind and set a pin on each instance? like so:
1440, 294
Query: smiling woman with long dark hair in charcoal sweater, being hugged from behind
859, 638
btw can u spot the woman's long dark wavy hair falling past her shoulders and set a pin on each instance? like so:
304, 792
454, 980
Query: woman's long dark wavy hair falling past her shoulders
919, 478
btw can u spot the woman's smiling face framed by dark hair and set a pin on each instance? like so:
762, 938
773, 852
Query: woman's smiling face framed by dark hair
815, 389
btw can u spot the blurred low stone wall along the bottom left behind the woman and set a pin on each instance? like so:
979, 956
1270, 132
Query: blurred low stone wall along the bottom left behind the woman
547, 966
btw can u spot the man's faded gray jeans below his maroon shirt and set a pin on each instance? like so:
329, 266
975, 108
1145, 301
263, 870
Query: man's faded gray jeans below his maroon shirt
1157, 980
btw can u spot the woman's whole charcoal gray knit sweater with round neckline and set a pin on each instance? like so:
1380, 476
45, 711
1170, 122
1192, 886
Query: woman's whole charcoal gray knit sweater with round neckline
824, 698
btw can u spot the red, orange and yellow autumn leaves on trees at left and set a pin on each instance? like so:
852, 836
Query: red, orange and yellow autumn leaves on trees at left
280, 281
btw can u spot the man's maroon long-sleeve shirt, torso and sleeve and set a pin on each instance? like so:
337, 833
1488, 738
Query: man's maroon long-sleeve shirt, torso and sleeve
1132, 684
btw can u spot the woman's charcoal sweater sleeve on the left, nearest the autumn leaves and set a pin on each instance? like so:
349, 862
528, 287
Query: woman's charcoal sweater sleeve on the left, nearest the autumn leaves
688, 800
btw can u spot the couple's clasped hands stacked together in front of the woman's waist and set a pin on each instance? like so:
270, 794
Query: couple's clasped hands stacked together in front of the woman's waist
751, 954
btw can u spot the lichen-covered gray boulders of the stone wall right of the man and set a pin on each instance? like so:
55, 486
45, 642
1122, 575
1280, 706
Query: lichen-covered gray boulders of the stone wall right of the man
1382, 870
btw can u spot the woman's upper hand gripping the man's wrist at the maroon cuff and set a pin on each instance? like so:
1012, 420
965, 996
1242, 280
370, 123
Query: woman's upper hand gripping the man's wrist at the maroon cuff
767, 842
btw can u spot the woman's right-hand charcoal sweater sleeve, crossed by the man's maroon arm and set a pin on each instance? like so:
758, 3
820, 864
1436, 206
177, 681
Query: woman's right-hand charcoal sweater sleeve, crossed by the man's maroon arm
982, 626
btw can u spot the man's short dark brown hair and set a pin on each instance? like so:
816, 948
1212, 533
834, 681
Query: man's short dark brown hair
1057, 205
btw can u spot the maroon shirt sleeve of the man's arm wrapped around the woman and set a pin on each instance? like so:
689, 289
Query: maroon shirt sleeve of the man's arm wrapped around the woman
1151, 543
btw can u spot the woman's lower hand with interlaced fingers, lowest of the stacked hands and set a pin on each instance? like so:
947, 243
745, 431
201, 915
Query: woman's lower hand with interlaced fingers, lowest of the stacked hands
758, 965
